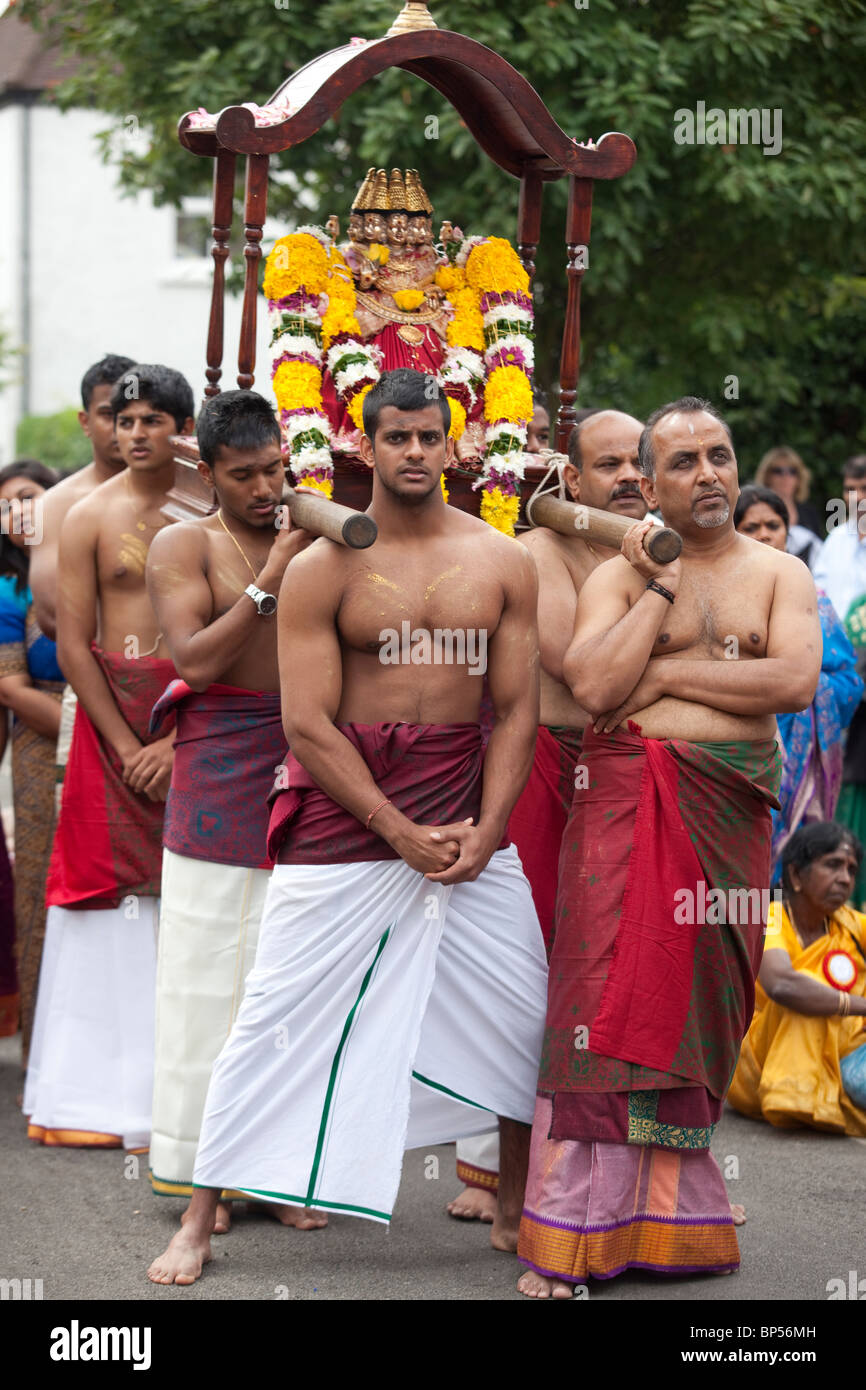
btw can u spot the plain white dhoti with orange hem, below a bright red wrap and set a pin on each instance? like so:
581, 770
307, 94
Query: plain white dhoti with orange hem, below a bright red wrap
90, 1079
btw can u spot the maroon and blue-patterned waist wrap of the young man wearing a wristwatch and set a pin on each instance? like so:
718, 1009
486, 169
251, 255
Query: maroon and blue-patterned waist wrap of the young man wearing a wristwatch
229, 746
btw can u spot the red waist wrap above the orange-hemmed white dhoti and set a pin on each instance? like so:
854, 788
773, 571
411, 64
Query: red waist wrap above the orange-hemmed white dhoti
109, 842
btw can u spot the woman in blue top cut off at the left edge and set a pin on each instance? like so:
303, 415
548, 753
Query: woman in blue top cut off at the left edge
31, 687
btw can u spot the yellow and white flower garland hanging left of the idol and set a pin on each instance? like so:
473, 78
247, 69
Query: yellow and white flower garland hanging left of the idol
295, 279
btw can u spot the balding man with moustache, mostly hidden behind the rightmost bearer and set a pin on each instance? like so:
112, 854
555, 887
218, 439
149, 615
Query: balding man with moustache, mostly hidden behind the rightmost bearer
603, 472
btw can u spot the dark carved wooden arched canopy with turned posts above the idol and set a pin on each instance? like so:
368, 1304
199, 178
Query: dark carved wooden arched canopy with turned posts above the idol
503, 112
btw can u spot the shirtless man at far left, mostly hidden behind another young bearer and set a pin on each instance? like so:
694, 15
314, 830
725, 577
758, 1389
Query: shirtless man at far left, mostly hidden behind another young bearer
98, 423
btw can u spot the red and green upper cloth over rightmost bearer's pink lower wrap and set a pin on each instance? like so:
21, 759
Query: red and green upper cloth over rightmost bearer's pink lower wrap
665, 990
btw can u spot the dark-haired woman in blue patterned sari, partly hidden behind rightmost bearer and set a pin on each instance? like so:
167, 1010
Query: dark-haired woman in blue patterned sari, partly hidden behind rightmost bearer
814, 737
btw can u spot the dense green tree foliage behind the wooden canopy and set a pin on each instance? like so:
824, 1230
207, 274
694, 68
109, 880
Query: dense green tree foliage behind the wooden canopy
707, 262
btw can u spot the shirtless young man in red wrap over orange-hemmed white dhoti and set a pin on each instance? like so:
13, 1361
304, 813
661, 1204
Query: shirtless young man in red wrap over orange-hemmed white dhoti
91, 1075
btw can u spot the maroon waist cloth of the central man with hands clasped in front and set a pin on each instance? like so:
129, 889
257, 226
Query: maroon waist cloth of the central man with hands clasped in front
430, 772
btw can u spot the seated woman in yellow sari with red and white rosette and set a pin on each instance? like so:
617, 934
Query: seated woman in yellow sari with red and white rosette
803, 1061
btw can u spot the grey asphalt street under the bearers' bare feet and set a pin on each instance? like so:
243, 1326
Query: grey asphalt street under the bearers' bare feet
76, 1221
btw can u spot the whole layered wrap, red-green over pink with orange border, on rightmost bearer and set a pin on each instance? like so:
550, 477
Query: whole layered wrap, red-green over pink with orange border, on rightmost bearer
651, 992
